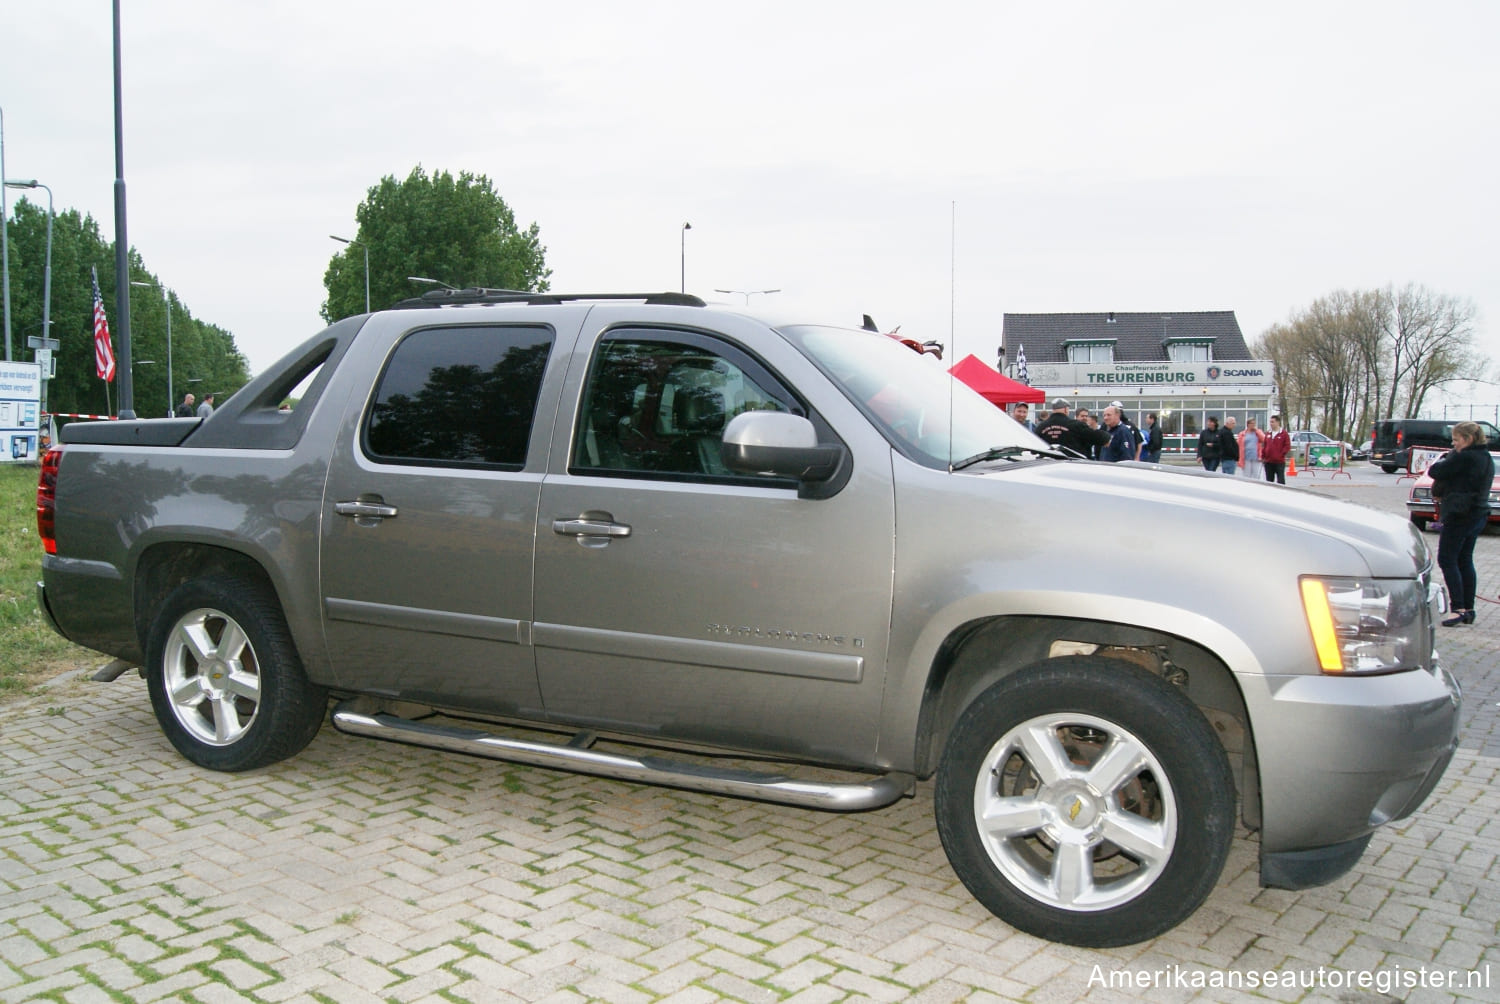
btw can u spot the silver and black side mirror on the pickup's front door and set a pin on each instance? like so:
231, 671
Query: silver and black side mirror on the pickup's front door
781, 445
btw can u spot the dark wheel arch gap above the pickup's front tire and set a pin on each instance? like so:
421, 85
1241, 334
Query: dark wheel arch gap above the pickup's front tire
979, 654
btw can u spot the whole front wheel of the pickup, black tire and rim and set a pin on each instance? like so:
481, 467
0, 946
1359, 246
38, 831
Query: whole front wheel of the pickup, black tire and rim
1087, 801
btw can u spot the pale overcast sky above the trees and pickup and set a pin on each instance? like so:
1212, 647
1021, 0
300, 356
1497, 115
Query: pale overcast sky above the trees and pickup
935, 166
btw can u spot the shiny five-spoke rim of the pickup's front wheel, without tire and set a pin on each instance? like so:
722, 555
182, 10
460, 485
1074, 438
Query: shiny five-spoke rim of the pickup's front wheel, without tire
1076, 811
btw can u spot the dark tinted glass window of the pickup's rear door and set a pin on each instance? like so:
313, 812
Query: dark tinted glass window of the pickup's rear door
460, 397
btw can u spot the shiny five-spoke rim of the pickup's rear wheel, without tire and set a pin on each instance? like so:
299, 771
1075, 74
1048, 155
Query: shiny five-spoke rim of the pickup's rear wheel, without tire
212, 678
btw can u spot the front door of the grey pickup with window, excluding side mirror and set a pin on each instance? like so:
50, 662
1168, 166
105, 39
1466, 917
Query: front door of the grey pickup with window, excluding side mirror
682, 601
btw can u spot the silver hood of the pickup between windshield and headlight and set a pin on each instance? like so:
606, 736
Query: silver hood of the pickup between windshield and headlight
1190, 500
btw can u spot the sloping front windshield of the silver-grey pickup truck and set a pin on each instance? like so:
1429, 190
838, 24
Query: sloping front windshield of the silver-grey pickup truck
911, 398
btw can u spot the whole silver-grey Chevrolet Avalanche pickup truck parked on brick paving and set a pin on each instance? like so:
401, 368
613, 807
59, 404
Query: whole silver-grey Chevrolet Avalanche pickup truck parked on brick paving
658, 541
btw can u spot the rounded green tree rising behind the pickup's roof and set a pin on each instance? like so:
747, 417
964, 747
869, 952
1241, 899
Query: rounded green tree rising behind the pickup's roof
454, 230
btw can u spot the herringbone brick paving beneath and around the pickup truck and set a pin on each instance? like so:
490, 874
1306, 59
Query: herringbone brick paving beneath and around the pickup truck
364, 871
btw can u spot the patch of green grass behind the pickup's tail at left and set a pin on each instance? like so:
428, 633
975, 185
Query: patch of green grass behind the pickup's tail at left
31, 652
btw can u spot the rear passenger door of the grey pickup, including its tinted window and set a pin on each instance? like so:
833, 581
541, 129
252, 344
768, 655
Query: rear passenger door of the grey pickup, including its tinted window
431, 510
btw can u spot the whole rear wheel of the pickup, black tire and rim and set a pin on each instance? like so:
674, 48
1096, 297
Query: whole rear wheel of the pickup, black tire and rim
226, 679
